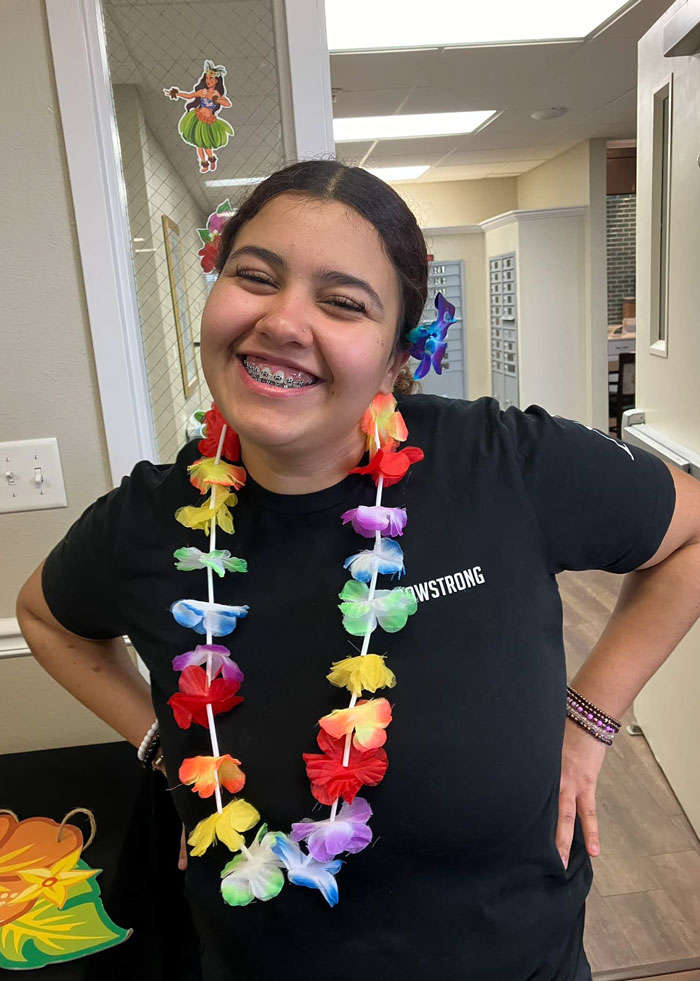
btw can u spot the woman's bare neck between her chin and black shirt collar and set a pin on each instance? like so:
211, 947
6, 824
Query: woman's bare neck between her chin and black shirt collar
287, 471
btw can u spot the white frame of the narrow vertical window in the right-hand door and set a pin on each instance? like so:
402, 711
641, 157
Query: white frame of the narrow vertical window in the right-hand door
658, 346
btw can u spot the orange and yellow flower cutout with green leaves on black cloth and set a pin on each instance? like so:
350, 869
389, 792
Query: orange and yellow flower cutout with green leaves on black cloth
50, 906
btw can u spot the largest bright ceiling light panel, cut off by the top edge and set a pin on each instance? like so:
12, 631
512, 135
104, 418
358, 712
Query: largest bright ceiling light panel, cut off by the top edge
365, 25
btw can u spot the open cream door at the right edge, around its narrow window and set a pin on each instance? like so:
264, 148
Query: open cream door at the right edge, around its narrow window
667, 387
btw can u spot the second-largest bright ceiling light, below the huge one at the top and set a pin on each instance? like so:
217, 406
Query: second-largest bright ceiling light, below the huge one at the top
410, 126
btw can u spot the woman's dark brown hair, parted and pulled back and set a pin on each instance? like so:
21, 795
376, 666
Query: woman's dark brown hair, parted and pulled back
378, 203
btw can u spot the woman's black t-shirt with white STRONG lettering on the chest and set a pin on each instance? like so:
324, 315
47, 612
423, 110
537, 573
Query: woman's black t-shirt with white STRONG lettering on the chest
463, 879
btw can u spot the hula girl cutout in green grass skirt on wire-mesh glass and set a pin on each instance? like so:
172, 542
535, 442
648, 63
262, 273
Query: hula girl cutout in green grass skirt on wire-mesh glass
199, 126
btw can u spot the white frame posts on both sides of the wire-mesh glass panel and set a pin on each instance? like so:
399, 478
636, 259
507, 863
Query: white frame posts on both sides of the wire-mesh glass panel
76, 32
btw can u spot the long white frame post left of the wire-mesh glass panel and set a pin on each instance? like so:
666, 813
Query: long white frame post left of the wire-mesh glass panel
99, 201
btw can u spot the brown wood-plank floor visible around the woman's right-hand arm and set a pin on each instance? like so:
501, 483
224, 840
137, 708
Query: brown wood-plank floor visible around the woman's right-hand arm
643, 912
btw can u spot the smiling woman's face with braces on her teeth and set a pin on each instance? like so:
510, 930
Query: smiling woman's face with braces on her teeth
298, 331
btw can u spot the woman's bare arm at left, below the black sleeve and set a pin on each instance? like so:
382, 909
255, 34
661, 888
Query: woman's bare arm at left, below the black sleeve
99, 673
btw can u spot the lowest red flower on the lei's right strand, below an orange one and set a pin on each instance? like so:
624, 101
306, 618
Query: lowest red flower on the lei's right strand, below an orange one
330, 779
